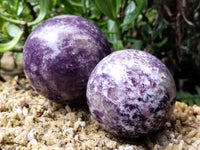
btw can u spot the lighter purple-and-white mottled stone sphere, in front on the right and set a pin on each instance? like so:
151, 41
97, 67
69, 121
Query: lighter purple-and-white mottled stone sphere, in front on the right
131, 93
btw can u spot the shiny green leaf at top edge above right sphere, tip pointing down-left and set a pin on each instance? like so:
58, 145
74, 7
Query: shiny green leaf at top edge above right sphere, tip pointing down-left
132, 14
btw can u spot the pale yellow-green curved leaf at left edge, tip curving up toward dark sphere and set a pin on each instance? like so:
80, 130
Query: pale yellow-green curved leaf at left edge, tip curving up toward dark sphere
4, 47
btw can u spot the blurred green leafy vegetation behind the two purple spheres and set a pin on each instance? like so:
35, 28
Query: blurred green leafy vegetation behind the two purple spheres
165, 28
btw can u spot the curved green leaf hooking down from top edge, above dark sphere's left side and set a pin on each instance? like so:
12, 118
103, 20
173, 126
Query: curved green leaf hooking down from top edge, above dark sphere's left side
43, 11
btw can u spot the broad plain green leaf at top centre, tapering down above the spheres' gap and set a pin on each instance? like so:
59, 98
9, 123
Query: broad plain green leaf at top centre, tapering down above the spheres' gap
109, 8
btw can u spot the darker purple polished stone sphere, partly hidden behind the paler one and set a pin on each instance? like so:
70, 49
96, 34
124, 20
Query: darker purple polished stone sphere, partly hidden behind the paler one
60, 54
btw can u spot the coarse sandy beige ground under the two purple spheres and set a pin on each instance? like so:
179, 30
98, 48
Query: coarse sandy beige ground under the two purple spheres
30, 121
